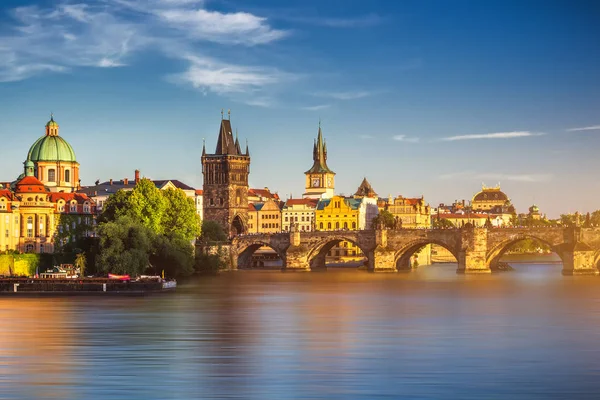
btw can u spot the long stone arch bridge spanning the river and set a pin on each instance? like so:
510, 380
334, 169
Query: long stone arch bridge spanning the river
477, 250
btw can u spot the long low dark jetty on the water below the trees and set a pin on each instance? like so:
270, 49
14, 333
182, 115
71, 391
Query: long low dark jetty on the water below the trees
85, 286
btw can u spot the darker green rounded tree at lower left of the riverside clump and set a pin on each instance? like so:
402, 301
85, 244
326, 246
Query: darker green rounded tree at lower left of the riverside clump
125, 246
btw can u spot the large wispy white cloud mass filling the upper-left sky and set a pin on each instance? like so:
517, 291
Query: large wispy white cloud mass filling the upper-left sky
109, 33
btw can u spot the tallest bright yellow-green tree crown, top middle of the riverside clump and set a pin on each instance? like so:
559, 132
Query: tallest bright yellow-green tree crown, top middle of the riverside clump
147, 205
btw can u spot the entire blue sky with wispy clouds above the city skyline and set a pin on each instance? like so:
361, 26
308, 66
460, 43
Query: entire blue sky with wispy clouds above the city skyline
422, 97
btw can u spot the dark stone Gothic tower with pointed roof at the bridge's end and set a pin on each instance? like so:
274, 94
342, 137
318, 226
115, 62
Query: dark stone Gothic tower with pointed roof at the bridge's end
225, 176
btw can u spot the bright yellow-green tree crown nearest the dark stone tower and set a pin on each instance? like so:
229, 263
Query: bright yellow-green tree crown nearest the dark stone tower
180, 218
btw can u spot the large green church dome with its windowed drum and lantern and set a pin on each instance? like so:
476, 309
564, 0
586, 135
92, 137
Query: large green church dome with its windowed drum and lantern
54, 161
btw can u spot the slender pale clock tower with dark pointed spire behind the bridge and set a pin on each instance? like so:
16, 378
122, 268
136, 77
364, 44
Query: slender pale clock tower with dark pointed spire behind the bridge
319, 179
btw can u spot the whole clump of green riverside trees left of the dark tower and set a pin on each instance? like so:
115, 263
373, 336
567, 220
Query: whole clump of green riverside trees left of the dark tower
157, 229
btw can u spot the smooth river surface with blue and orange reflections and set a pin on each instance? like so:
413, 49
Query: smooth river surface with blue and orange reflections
431, 334
